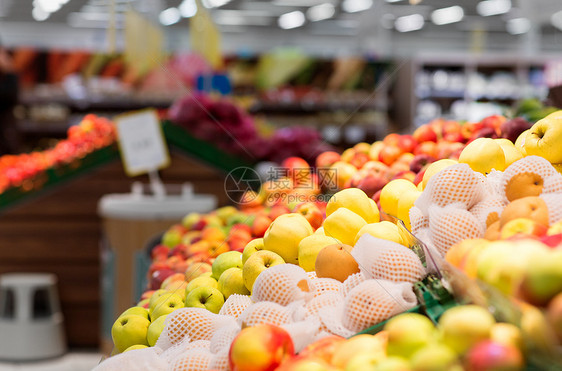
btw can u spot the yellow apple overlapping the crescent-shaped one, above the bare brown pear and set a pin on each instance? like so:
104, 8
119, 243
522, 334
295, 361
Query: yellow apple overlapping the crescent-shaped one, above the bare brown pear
343, 224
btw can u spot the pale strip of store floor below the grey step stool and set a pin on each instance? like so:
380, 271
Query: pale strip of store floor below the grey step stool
73, 361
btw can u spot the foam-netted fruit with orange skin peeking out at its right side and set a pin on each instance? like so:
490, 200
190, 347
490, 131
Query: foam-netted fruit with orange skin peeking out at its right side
282, 284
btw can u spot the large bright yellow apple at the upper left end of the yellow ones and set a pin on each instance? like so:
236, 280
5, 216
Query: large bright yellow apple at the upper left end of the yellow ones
284, 235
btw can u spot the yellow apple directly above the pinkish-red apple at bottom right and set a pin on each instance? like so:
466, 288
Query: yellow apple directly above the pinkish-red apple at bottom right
464, 326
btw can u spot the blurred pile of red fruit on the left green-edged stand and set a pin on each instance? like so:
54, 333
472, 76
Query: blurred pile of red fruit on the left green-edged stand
90, 134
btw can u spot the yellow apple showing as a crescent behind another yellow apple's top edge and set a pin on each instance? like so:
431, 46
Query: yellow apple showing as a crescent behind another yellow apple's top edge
355, 200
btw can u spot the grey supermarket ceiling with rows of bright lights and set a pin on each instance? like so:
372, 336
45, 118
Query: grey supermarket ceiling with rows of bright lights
400, 16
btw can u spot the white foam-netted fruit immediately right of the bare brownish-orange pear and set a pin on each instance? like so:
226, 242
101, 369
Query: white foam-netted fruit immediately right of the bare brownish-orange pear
387, 260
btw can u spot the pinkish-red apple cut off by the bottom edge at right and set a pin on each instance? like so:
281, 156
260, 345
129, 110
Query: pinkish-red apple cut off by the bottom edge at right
492, 356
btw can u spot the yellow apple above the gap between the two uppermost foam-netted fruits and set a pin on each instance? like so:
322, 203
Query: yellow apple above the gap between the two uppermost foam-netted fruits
483, 155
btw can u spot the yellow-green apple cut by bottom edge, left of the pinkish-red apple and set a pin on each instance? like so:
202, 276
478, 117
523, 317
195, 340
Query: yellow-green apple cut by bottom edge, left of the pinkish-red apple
435, 357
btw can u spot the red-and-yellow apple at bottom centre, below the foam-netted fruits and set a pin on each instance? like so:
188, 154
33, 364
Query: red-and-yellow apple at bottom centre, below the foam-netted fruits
260, 348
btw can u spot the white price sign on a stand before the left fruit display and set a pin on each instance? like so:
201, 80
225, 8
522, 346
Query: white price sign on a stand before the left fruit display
141, 141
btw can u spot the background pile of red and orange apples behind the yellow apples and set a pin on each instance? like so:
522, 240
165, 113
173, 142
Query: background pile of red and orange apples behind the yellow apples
370, 167
